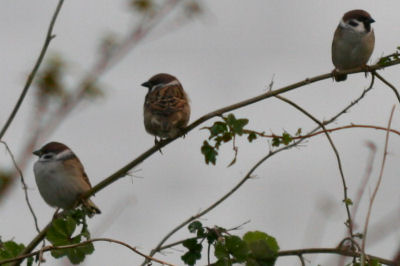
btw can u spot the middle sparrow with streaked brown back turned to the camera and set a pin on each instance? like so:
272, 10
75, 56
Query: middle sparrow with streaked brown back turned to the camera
166, 107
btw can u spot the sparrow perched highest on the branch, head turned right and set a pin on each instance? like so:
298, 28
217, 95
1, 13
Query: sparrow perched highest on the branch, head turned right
353, 42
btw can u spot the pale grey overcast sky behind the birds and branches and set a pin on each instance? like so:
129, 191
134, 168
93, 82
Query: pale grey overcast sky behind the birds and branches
230, 53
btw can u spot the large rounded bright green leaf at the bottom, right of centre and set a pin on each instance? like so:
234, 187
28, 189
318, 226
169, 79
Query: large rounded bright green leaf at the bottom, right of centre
263, 248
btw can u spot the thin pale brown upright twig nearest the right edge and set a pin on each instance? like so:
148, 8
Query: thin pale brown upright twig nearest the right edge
376, 187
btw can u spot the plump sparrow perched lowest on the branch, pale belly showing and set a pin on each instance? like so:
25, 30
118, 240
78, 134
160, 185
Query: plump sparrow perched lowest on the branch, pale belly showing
61, 178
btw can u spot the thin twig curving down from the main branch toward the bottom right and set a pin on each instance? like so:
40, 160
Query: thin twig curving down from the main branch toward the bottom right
349, 222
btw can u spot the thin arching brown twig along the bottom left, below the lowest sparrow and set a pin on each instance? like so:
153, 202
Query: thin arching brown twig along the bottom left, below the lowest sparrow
49, 248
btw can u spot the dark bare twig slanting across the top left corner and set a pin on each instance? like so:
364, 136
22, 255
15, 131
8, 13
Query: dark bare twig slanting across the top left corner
32, 75
